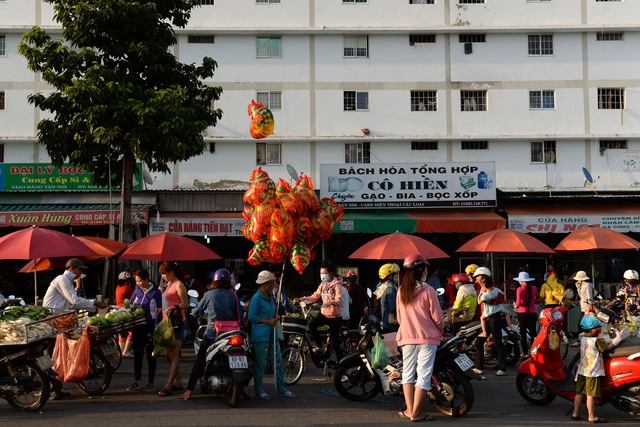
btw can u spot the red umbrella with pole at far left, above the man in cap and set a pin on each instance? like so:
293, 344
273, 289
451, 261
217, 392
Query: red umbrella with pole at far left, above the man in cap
35, 242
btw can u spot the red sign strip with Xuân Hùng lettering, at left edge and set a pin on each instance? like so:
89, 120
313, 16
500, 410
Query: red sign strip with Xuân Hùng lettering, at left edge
62, 218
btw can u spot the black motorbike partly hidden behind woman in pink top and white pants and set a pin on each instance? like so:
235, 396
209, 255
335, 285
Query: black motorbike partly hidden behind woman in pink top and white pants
451, 390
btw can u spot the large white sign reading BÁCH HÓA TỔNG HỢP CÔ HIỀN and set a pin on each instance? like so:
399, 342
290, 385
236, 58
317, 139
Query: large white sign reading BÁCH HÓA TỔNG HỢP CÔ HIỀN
409, 185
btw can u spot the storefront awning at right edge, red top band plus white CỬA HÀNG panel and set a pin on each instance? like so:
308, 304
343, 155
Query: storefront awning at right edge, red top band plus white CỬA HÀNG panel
565, 219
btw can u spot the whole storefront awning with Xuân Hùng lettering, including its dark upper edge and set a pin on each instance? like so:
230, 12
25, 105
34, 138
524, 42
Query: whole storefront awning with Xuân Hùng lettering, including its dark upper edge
55, 215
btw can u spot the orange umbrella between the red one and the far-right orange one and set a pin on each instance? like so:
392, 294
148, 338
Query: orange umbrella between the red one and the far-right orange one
505, 241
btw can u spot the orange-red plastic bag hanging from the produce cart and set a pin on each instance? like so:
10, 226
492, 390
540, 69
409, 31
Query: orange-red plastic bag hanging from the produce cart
71, 357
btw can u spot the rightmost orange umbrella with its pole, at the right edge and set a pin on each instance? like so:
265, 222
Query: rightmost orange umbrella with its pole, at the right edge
594, 238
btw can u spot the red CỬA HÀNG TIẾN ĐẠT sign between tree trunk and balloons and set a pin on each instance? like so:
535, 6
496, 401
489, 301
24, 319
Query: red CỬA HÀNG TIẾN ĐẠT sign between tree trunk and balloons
194, 226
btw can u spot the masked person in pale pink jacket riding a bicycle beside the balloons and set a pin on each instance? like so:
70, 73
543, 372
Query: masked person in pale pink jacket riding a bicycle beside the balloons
330, 290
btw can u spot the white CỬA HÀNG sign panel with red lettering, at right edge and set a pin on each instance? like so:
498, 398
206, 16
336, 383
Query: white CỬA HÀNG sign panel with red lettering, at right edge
623, 223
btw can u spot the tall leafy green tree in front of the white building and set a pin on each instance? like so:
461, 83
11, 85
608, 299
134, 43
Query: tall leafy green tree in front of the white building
120, 94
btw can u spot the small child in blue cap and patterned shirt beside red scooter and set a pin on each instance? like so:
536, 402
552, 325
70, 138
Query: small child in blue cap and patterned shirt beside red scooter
591, 366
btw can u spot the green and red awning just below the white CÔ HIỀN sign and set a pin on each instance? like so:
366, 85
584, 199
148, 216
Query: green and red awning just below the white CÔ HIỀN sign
419, 222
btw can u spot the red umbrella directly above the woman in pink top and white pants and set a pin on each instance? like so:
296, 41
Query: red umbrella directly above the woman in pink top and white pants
398, 246
